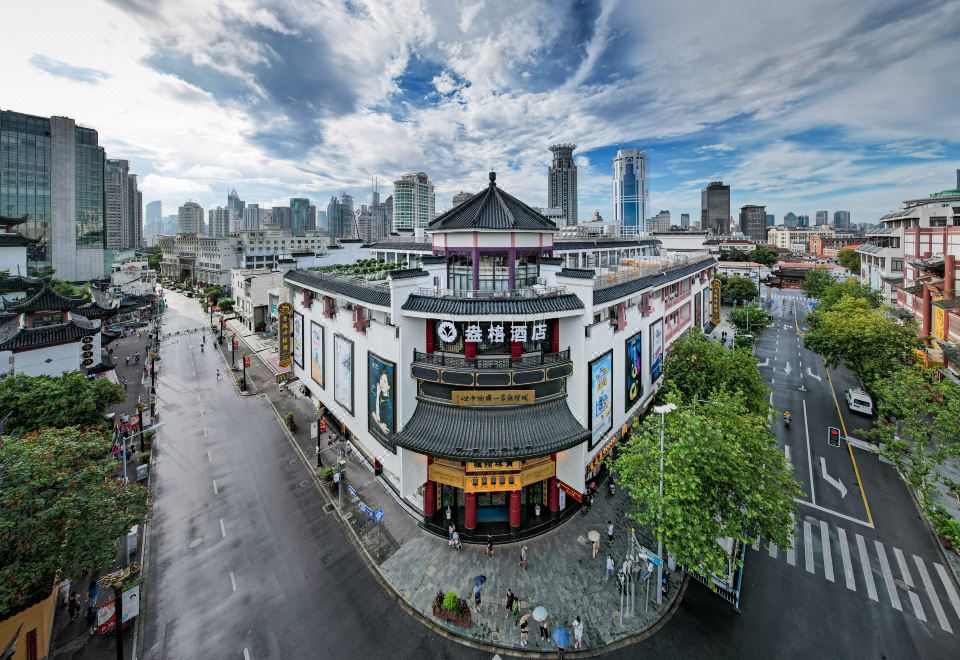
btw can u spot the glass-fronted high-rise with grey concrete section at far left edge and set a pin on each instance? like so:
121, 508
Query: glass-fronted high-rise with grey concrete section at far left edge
51, 171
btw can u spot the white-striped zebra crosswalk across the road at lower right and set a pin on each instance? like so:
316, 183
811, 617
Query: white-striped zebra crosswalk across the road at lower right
884, 574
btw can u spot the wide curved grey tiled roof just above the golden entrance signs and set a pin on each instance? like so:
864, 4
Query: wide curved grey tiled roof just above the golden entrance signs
458, 432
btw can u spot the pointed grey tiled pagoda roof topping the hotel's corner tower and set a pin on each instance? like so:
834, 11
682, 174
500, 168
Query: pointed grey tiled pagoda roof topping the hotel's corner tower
492, 209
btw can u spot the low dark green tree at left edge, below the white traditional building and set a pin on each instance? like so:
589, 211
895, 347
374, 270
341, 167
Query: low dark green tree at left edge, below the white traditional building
72, 399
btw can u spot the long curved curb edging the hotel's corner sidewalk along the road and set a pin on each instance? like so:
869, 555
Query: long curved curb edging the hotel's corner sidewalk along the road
432, 625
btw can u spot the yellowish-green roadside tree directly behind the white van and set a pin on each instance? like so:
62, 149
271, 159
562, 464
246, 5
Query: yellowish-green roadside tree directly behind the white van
871, 343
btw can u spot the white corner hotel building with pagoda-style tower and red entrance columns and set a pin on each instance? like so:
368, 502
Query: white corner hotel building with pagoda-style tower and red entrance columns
493, 379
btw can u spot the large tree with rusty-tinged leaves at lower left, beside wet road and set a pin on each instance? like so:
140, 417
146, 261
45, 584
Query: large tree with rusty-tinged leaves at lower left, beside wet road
60, 509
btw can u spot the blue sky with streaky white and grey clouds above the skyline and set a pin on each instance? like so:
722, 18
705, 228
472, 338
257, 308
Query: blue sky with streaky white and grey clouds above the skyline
817, 105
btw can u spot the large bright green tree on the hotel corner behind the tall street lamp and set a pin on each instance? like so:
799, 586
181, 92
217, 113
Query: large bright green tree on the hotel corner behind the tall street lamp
723, 477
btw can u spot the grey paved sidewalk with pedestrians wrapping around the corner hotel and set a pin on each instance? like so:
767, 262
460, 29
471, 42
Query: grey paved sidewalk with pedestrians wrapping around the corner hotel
415, 564
